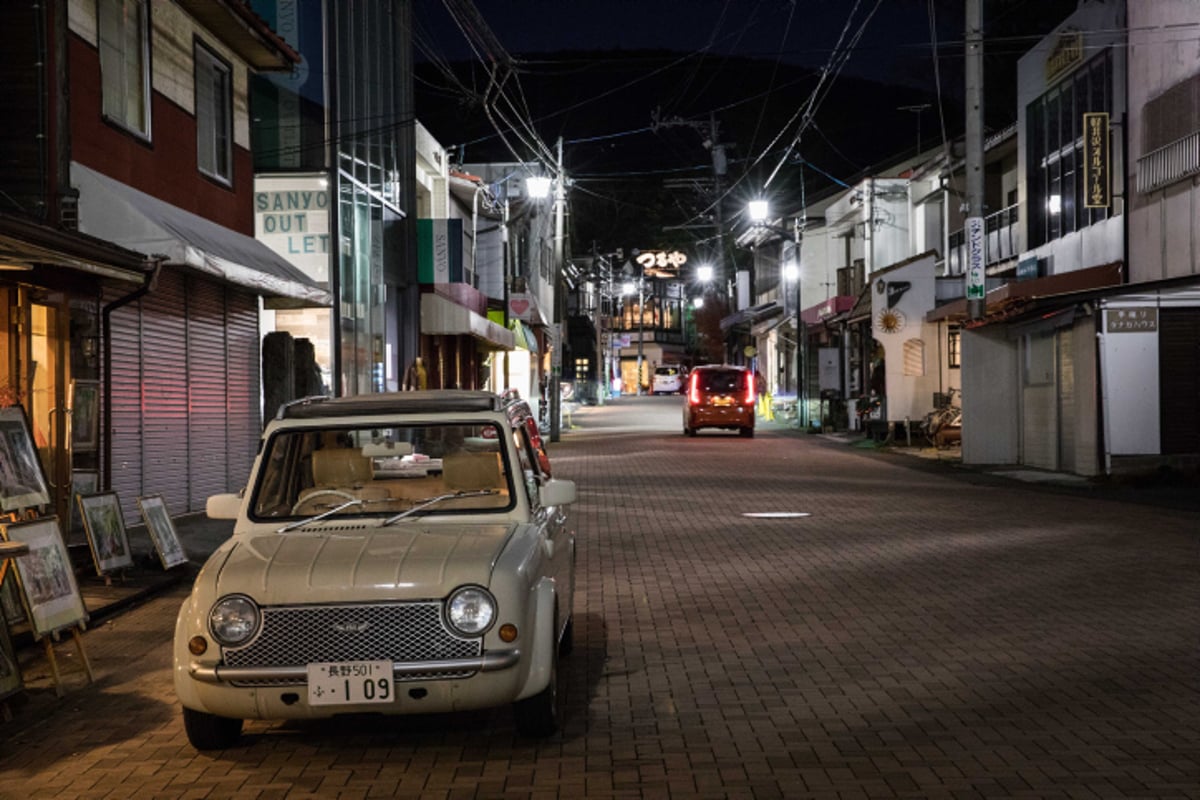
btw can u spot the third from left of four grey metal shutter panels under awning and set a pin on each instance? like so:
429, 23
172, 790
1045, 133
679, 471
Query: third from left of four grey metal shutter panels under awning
207, 384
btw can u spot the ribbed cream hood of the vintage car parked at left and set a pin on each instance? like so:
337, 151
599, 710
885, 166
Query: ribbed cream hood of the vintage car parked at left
346, 564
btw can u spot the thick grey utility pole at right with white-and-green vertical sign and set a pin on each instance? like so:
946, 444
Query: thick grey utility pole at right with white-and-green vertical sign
976, 290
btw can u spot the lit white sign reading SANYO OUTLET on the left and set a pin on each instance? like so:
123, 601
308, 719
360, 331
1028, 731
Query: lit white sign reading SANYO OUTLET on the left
292, 219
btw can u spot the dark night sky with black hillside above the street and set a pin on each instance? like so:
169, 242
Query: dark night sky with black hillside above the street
605, 76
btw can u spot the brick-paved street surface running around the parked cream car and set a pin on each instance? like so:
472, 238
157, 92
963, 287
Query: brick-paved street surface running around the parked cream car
925, 633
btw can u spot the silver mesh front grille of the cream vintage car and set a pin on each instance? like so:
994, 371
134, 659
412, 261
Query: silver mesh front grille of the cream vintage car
295, 636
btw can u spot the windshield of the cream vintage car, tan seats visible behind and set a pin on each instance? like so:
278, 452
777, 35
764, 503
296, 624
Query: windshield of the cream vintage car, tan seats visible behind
383, 472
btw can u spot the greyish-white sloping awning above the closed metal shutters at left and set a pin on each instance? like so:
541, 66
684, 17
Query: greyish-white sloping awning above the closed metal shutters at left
123, 215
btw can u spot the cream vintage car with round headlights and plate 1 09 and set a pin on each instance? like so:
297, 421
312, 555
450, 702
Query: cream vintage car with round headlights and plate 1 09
398, 554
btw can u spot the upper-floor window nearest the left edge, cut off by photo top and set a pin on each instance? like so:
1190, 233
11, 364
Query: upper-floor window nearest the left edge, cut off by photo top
125, 63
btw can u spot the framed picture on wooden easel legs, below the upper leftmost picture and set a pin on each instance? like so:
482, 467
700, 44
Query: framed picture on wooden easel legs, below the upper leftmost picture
47, 581
